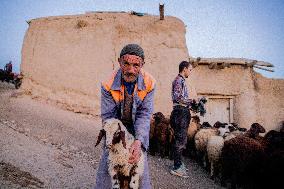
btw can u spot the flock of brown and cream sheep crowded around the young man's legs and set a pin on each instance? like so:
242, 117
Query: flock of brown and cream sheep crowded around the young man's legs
235, 156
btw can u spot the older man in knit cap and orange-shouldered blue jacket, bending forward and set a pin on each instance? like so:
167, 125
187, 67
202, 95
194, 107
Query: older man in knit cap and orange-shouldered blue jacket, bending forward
128, 95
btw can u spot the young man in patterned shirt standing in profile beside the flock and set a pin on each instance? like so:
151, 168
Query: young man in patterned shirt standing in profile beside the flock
180, 116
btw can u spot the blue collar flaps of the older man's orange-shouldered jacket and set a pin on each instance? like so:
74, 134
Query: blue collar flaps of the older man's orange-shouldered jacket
116, 85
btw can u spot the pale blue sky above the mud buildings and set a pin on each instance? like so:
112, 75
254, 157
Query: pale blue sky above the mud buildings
252, 29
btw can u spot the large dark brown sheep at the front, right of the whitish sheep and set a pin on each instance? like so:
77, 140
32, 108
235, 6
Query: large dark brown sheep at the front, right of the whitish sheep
241, 161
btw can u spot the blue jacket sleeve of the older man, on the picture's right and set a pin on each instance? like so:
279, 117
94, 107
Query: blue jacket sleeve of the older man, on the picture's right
143, 116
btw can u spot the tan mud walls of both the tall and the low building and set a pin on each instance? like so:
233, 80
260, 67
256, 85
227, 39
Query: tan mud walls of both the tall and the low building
64, 60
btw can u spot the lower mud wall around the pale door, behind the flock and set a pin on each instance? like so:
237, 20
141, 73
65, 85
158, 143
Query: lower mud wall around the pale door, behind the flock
255, 98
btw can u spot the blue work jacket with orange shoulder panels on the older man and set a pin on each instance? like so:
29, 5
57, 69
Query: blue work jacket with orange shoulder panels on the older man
112, 99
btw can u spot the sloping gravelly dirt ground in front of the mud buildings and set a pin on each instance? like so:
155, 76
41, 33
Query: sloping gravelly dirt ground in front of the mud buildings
43, 146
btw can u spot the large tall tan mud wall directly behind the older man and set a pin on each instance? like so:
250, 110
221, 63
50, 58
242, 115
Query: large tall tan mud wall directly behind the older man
64, 59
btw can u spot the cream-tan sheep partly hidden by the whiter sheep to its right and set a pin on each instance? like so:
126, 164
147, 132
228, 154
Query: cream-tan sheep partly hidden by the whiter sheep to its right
200, 141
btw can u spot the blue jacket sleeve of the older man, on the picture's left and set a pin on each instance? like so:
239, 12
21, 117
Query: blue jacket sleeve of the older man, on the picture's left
108, 105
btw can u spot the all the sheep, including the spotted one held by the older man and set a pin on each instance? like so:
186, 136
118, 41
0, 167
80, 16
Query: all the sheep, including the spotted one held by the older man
233, 155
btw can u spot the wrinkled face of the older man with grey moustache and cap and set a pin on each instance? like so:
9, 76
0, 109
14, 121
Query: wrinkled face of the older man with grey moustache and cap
130, 66
